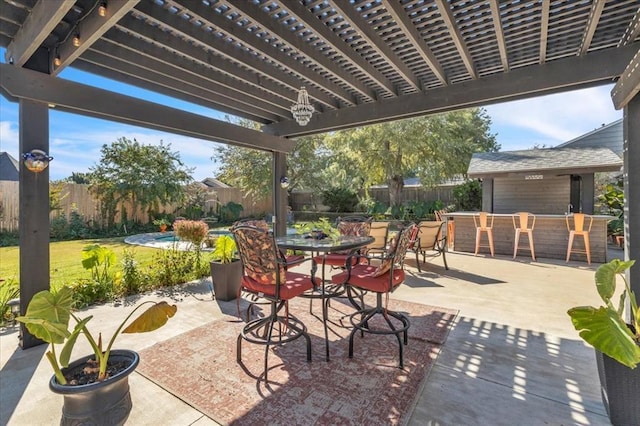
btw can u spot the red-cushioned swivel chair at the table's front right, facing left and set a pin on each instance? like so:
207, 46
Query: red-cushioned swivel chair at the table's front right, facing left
381, 280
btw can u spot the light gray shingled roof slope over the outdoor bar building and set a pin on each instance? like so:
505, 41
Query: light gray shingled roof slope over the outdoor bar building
544, 161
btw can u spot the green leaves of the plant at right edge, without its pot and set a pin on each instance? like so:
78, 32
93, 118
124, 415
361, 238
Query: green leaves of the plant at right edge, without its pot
605, 327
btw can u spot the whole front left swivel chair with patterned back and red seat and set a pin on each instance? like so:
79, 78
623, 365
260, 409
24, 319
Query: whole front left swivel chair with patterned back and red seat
265, 275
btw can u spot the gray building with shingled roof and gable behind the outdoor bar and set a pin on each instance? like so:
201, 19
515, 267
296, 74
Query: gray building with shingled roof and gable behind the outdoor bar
548, 181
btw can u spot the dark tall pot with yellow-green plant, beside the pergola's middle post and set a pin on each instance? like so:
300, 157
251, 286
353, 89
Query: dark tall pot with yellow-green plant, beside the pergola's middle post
226, 269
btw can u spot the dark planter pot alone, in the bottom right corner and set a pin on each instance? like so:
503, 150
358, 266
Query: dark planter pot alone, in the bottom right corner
620, 386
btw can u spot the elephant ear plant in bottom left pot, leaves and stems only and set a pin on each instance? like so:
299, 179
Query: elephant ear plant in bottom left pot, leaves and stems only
48, 316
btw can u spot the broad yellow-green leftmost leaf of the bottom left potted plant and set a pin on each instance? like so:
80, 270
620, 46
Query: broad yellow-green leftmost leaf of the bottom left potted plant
48, 315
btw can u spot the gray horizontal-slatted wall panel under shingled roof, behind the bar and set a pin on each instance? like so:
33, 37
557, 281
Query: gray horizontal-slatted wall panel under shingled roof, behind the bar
544, 196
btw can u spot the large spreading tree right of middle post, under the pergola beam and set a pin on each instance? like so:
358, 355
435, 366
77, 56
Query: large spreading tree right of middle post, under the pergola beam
433, 148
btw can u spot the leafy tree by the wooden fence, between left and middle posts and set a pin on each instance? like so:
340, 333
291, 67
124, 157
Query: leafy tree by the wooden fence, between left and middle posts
144, 175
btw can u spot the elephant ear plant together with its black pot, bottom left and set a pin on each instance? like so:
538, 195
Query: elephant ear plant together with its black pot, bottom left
95, 387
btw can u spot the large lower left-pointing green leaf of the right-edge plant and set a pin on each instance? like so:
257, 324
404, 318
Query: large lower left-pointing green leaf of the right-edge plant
605, 331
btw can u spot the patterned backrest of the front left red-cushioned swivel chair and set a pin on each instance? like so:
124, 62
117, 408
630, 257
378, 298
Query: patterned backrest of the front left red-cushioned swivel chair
261, 259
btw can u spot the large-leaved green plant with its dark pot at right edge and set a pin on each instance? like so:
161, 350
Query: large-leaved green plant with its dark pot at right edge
616, 341
